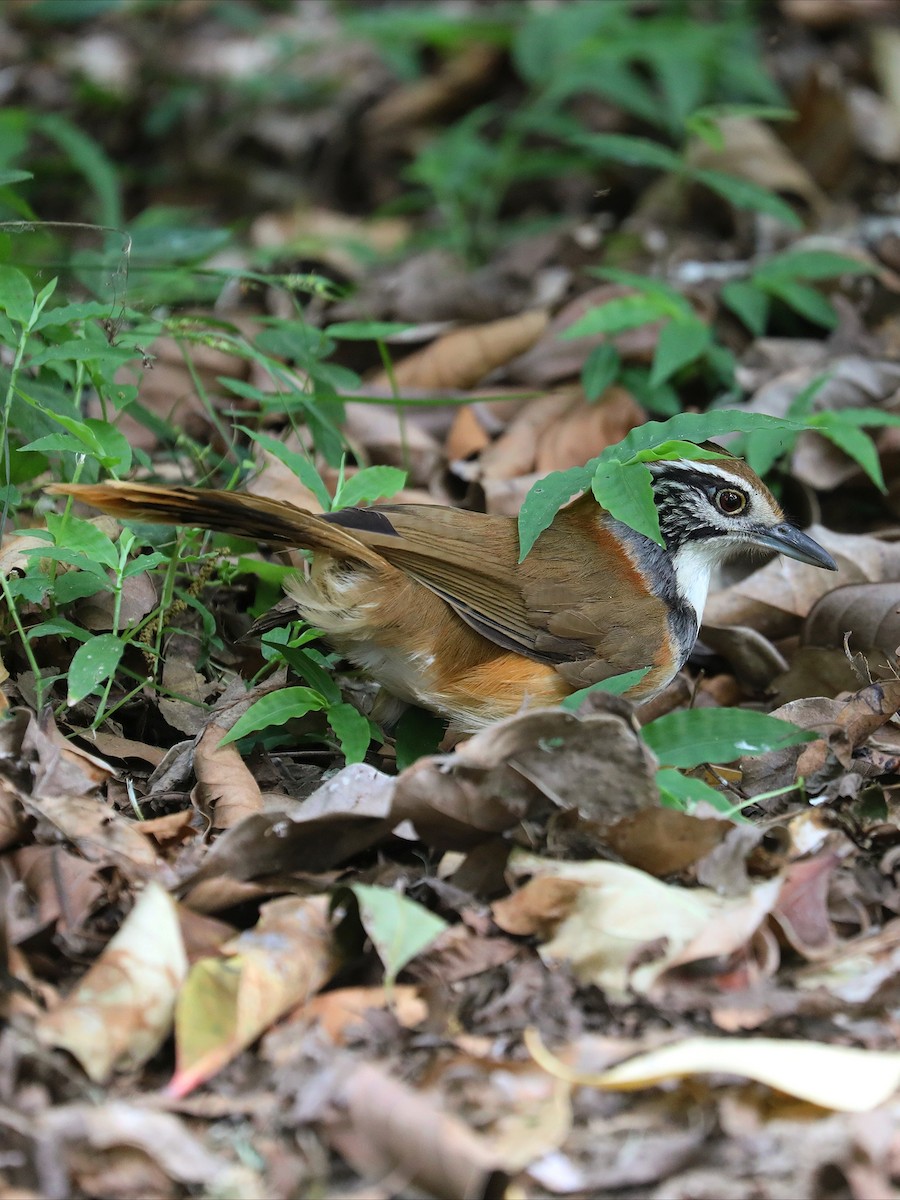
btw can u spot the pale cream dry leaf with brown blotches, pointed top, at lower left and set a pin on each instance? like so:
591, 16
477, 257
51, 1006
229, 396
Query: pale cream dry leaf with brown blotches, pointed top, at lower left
121, 1013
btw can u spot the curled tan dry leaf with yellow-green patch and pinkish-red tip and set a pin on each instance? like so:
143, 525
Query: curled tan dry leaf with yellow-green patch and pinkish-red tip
229, 1001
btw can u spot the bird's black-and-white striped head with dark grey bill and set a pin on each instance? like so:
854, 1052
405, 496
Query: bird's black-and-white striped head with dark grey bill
713, 509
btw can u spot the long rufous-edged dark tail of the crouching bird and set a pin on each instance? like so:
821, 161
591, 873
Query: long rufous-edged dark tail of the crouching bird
249, 517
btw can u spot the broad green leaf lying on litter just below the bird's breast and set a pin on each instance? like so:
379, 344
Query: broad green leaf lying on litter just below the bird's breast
697, 736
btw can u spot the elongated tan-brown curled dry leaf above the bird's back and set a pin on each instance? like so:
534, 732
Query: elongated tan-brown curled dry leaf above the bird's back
464, 358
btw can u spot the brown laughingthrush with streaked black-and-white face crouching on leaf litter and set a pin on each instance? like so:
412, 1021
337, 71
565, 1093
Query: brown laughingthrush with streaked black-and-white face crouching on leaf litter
434, 604
